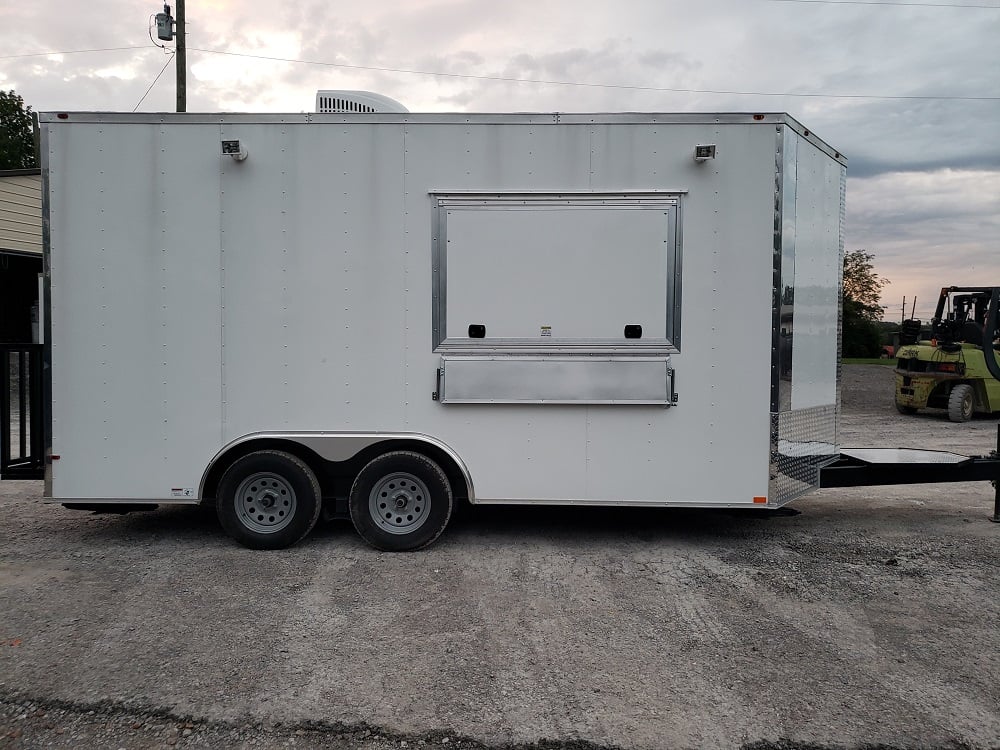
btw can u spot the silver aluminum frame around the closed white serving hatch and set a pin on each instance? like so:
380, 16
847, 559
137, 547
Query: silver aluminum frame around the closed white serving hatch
668, 202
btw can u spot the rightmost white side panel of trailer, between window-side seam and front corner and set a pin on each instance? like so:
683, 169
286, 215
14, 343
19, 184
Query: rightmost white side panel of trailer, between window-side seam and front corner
709, 448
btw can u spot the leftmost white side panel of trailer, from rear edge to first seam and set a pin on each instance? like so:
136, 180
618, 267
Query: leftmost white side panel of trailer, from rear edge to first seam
135, 302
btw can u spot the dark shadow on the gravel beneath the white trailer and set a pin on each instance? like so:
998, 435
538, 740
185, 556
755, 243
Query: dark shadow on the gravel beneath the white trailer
187, 526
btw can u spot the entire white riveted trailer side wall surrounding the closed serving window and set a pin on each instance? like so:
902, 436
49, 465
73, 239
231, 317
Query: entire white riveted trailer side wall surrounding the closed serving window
208, 299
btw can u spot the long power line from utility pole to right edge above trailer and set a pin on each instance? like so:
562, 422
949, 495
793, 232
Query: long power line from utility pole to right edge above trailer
507, 79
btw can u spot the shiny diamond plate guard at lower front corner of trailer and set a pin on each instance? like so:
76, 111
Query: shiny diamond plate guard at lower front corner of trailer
807, 441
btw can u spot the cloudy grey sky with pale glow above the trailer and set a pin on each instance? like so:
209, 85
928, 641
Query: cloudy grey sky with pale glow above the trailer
909, 91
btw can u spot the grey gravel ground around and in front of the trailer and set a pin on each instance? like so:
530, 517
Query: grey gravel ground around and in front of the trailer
867, 620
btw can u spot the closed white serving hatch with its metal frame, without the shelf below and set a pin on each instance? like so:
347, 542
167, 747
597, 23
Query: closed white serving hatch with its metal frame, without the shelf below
561, 273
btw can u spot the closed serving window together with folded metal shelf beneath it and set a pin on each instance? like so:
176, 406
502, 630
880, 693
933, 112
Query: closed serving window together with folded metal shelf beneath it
556, 298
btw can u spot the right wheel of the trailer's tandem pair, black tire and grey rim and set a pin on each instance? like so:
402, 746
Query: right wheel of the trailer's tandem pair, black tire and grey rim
401, 501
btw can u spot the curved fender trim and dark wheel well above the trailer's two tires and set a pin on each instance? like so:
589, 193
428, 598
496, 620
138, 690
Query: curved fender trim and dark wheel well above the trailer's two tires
338, 447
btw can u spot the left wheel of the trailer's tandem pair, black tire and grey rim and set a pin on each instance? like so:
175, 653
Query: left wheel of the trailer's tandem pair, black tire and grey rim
268, 500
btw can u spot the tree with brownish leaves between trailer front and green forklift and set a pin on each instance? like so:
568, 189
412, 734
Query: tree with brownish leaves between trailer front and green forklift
862, 310
